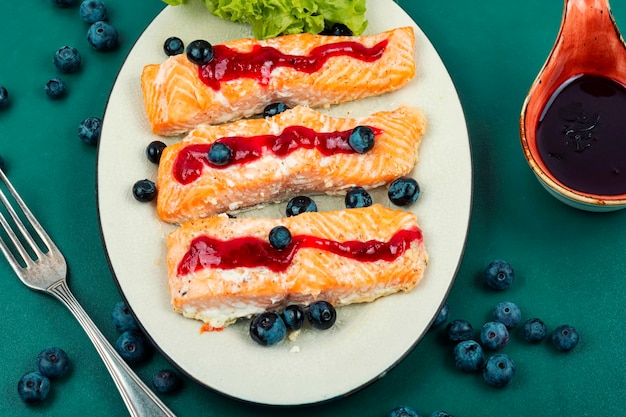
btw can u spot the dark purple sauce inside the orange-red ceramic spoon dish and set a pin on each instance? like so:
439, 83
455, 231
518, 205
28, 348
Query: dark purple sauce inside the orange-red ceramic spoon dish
581, 136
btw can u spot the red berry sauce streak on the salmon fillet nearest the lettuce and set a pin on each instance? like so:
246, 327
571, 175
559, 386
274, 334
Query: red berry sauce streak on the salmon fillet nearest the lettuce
258, 64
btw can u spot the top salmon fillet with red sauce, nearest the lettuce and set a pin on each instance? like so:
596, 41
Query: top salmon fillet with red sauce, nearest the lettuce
177, 99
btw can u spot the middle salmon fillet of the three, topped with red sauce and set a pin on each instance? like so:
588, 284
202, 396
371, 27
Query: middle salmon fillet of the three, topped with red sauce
189, 187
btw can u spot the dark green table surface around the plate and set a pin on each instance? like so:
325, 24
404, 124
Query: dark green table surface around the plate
569, 264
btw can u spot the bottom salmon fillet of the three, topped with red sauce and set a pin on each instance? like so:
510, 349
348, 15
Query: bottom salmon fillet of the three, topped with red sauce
221, 268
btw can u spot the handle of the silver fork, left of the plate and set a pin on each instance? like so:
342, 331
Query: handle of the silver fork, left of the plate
139, 399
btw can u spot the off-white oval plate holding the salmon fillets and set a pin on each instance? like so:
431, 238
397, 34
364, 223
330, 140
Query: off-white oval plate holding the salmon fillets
367, 340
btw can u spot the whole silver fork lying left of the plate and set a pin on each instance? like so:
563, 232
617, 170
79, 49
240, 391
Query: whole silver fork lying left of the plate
42, 267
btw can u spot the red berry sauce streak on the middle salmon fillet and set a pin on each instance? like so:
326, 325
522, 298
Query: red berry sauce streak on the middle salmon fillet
191, 159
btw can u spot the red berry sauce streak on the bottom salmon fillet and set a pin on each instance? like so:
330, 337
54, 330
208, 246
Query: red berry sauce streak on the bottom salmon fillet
249, 252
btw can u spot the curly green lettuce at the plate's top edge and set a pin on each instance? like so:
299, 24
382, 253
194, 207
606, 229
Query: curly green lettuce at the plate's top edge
270, 18
